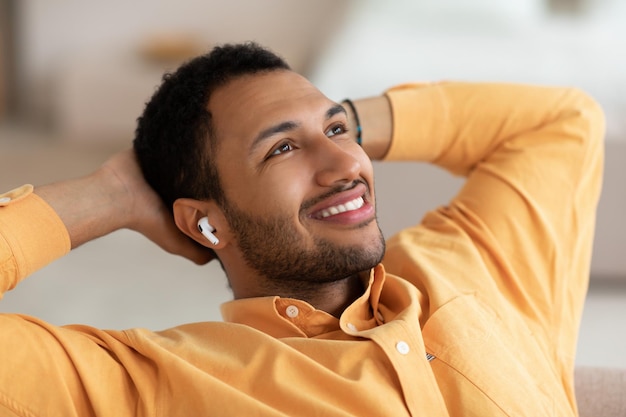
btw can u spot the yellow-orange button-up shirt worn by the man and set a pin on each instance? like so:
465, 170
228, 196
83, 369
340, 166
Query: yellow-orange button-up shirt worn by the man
475, 312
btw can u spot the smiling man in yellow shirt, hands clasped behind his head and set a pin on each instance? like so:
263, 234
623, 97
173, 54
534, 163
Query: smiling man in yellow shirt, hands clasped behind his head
473, 312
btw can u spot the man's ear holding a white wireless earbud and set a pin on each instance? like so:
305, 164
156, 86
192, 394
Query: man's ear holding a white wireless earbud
187, 214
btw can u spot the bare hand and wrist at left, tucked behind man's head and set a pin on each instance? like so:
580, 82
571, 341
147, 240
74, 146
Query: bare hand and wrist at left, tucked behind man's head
117, 196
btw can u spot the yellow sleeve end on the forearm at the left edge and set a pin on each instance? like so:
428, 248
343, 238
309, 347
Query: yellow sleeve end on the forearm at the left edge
31, 236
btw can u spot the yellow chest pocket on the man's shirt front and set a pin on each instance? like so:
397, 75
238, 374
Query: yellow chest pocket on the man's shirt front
490, 365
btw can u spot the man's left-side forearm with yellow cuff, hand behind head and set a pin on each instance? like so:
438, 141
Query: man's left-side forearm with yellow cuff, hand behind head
35, 229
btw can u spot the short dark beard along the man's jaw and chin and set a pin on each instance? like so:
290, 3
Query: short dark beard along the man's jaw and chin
273, 247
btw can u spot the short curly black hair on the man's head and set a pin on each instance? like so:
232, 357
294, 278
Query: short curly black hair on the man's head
174, 140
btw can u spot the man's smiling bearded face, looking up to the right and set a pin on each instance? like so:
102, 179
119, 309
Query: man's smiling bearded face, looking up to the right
299, 189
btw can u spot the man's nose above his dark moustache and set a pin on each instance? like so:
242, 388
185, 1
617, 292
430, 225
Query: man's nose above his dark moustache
335, 163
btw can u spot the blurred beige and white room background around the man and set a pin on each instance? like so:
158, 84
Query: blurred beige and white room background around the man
74, 75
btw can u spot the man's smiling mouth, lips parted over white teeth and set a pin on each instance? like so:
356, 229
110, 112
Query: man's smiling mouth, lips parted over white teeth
344, 204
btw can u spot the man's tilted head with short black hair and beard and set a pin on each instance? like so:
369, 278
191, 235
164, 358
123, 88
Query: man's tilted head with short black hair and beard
291, 193
